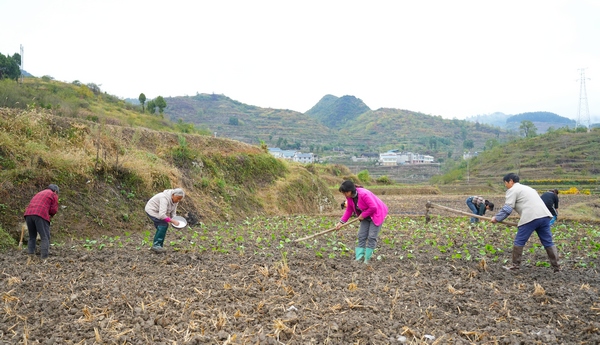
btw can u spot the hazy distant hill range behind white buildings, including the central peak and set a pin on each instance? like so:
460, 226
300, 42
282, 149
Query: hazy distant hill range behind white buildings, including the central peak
354, 132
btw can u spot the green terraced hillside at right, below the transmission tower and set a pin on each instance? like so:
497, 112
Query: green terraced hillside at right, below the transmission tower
559, 157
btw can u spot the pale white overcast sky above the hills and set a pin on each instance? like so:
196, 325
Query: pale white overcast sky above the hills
450, 58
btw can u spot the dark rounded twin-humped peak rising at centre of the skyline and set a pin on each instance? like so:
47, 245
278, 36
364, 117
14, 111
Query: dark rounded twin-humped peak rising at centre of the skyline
334, 111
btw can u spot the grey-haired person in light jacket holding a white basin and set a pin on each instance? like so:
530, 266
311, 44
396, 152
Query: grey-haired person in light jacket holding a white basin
161, 208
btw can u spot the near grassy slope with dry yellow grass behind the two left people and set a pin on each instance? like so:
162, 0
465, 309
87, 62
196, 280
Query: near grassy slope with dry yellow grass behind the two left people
108, 167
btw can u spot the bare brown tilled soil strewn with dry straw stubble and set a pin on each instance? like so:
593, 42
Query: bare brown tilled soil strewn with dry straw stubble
125, 294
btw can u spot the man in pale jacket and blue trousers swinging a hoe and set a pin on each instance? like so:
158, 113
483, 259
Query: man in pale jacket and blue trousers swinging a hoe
534, 217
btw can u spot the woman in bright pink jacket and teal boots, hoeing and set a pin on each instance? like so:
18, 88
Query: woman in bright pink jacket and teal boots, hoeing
371, 213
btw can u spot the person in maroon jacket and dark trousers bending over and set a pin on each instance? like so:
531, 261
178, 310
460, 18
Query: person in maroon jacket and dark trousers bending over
42, 207
